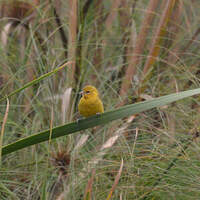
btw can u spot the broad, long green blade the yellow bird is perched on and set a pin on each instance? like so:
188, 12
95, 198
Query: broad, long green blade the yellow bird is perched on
90, 122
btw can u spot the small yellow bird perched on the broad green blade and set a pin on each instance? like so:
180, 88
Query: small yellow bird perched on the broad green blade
90, 103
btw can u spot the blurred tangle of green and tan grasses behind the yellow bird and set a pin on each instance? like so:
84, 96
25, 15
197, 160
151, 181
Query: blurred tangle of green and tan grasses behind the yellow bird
159, 147
